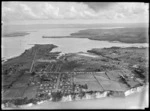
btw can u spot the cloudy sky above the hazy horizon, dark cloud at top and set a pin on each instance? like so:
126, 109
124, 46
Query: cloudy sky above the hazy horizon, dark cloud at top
74, 12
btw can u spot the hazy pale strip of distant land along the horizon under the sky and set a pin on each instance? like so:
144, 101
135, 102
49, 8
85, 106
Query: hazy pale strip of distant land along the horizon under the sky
25, 27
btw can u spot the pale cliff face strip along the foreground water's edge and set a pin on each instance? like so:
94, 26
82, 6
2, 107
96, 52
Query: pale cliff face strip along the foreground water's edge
128, 93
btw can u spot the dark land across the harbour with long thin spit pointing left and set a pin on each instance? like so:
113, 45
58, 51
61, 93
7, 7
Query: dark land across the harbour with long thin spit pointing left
125, 35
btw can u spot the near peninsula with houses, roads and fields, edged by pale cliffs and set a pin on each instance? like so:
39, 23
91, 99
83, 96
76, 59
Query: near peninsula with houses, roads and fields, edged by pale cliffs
39, 74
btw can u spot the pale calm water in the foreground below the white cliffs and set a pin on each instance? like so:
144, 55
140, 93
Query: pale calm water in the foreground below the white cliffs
97, 103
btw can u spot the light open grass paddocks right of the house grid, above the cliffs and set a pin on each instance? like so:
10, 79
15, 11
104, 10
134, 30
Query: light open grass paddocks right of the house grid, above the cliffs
101, 81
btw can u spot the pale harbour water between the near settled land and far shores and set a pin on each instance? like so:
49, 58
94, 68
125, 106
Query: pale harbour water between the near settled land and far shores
14, 46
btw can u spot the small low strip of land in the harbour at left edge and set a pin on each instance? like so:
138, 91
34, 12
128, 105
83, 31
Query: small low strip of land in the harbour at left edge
15, 34
